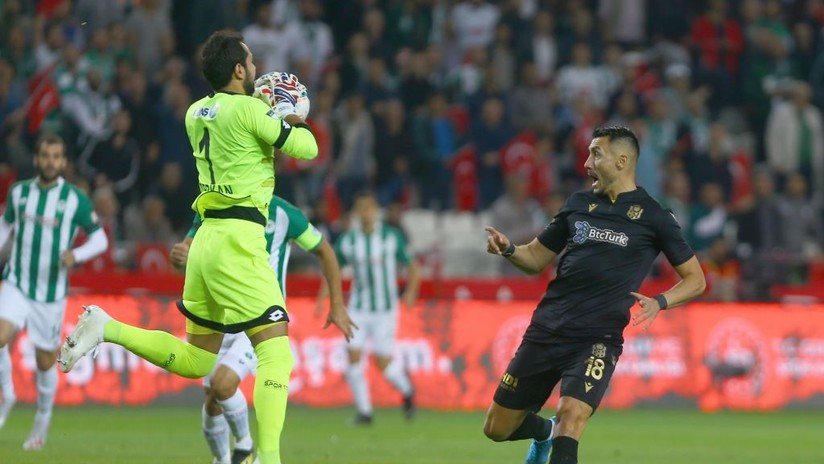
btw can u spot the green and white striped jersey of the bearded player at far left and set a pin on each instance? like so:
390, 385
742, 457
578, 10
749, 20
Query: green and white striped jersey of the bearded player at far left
45, 223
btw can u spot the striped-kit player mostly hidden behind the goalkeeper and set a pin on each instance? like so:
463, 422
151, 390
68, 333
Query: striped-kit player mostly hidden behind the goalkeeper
225, 407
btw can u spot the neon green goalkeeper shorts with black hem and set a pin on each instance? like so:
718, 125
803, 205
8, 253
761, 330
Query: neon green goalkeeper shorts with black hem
230, 286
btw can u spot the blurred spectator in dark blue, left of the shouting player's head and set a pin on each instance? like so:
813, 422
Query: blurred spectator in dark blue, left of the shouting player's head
489, 135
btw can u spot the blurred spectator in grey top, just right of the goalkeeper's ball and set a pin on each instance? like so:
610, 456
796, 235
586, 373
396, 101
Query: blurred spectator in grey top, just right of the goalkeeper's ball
355, 160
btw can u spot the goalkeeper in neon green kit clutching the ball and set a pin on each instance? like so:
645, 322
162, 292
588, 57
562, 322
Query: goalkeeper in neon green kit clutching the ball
229, 285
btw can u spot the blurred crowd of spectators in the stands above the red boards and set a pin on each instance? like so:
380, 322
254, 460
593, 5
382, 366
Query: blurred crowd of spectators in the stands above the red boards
449, 105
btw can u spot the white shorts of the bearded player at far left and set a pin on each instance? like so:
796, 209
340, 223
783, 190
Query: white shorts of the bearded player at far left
42, 320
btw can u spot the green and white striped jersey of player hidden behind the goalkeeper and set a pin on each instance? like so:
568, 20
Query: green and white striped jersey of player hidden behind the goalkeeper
286, 224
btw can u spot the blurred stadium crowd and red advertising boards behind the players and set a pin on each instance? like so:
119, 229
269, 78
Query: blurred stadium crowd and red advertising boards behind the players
459, 114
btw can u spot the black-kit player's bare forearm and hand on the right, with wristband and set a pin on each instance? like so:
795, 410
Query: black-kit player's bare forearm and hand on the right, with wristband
691, 286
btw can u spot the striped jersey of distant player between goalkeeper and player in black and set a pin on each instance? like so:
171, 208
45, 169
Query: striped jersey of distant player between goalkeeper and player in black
374, 259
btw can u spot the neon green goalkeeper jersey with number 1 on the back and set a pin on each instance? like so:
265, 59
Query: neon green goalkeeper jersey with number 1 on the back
233, 138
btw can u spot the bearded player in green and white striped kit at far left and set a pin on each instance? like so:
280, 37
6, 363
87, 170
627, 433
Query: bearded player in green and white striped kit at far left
43, 216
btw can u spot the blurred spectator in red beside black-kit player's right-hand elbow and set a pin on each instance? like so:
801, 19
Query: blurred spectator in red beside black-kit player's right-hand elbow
722, 272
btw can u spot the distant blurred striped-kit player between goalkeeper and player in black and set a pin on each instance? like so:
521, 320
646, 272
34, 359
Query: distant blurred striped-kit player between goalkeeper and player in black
375, 250
